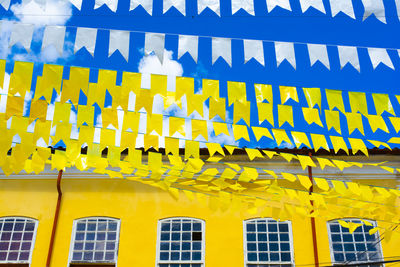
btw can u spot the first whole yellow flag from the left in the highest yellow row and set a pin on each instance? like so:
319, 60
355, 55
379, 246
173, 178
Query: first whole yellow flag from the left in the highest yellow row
21, 78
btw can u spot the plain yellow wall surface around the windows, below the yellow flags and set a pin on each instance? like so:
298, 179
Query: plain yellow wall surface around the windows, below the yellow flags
140, 207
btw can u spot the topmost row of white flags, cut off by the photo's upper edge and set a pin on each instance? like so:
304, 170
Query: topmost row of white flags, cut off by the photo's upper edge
371, 7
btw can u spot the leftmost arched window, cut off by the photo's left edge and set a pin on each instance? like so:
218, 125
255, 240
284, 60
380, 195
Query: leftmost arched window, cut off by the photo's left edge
17, 238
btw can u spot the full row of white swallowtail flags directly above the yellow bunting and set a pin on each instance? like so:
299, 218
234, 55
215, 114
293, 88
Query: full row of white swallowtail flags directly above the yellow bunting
54, 36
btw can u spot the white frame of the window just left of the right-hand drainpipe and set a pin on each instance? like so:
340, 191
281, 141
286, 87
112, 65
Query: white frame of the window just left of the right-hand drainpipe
255, 263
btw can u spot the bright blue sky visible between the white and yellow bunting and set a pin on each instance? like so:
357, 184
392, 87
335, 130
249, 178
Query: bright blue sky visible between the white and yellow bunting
278, 25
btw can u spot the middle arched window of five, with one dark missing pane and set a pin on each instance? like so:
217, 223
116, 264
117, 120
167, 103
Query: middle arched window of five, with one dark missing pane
180, 242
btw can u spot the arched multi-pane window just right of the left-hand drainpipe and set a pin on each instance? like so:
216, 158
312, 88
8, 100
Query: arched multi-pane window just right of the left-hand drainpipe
94, 240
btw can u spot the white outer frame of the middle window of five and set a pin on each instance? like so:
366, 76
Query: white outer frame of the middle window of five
203, 242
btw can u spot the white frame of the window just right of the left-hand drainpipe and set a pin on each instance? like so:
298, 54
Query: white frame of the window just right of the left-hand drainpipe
73, 234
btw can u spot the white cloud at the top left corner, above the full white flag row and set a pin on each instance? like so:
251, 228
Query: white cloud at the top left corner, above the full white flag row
55, 12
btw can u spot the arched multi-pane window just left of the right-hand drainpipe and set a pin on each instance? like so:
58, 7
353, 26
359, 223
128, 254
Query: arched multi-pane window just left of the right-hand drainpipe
268, 243
